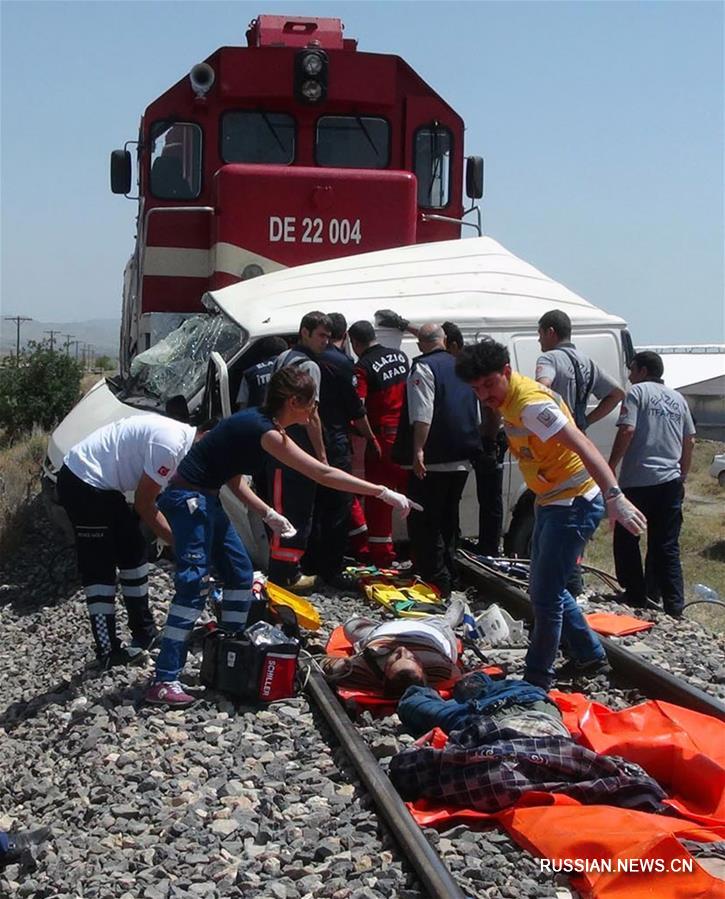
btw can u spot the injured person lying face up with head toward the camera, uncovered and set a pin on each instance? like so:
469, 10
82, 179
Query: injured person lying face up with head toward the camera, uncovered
394, 655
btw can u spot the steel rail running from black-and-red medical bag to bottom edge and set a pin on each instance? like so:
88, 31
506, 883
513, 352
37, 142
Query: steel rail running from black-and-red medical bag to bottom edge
433, 874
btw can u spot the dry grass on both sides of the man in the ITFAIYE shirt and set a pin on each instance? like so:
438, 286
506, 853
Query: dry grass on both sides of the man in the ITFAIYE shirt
702, 539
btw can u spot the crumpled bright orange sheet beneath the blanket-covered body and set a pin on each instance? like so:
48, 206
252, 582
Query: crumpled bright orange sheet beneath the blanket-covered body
683, 750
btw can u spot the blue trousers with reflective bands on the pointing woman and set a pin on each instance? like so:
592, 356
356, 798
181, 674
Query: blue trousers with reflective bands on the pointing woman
202, 537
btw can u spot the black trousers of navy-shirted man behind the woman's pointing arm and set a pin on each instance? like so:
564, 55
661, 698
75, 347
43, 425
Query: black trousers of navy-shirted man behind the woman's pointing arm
330, 520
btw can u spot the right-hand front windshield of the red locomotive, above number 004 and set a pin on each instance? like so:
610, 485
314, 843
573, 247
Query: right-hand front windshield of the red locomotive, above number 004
352, 142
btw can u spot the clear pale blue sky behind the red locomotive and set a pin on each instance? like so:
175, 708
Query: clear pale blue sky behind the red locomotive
601, 124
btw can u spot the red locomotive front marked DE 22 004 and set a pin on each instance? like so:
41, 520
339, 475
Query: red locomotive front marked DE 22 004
294, 149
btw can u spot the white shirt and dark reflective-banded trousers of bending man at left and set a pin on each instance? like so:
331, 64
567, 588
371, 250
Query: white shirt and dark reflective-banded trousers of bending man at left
96, 475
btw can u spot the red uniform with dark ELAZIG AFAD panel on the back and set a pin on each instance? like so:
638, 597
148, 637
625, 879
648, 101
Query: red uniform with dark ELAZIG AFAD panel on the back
382, 374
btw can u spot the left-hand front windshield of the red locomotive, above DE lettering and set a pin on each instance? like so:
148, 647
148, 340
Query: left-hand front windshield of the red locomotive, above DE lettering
258, 137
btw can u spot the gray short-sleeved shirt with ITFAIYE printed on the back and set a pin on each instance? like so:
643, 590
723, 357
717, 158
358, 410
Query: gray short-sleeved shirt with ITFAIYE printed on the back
661, 420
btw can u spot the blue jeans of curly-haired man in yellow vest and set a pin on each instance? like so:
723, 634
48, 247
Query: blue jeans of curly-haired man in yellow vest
560, 533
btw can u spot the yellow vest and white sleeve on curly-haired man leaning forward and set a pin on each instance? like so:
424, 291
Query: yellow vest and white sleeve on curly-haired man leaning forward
553, 472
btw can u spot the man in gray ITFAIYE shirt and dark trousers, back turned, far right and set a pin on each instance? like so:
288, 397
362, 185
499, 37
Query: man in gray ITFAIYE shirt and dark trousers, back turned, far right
654, 443
